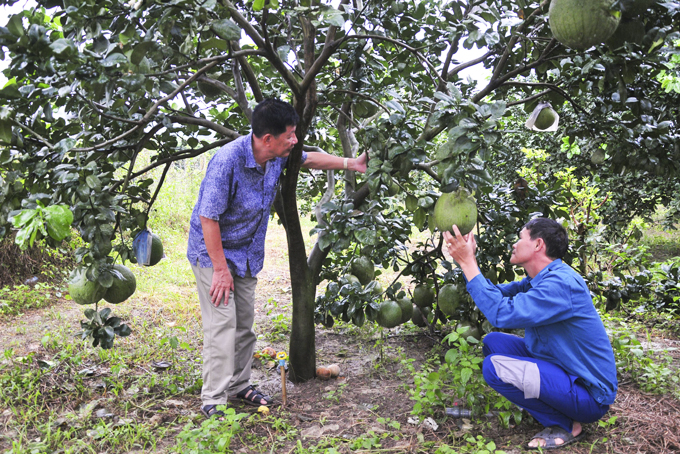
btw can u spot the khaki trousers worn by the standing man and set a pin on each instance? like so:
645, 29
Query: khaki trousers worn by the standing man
228, 337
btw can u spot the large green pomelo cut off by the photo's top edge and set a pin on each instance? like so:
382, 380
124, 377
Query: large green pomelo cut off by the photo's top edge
581, 24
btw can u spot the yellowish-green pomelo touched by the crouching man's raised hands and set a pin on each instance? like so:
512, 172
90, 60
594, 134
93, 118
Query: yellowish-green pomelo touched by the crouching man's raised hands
457, 208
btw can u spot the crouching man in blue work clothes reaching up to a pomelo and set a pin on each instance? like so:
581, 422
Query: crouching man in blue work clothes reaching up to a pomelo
563, 371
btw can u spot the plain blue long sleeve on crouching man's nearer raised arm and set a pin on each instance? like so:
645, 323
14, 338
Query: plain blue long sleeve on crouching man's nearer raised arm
521, 305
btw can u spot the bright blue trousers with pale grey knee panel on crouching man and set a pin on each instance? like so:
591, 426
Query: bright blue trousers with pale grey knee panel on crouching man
545, 390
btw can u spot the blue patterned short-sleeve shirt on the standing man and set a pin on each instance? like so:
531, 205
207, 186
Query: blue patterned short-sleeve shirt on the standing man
238, 193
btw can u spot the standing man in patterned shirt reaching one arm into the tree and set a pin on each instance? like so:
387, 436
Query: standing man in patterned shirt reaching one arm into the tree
226, 245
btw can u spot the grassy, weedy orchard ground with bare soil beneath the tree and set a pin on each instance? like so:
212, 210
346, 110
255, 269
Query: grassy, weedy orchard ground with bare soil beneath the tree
58, 394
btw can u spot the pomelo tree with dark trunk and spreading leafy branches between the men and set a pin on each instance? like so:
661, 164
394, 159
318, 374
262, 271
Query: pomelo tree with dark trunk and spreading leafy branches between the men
92, 84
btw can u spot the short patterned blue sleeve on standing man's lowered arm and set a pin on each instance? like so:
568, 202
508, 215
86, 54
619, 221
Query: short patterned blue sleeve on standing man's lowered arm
217, 187
